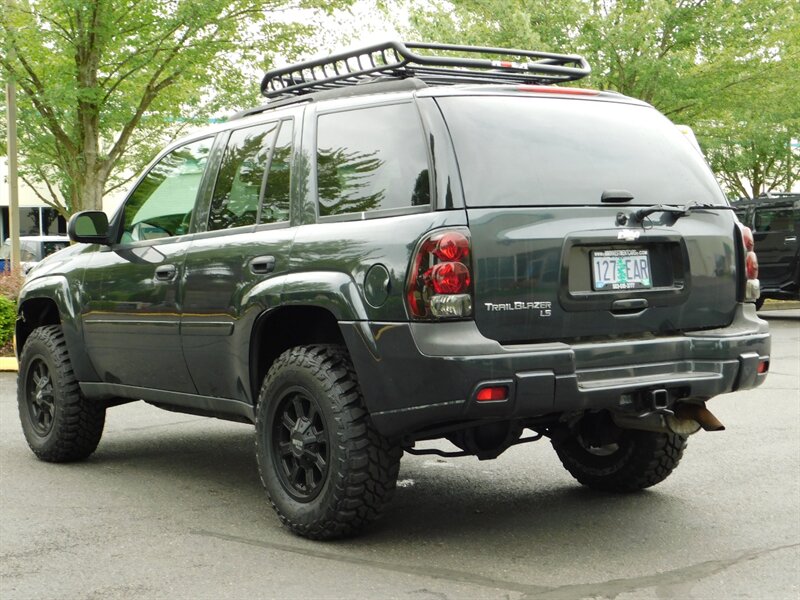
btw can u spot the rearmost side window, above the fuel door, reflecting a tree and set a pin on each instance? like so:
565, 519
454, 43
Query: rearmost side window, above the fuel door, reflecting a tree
371, 159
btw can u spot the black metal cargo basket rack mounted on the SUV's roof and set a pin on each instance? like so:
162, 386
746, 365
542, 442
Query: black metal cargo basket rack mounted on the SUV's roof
394, 59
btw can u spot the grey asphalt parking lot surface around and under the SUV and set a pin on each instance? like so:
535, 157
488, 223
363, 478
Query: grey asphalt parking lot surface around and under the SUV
170, 506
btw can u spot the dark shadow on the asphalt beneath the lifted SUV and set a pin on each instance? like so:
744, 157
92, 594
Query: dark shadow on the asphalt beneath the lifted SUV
460, 505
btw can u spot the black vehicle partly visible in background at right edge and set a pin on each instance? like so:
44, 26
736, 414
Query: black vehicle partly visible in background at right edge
775, 221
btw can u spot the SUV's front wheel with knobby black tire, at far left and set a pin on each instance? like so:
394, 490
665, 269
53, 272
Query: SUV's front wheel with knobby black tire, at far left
59, 424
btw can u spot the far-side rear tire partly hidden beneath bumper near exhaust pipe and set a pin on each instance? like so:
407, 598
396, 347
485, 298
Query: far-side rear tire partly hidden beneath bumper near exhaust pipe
634, 461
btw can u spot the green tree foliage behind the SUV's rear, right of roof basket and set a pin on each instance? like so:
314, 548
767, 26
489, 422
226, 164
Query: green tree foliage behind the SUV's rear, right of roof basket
728, 68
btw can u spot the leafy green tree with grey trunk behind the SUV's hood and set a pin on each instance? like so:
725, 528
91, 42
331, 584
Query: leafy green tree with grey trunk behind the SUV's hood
102, 82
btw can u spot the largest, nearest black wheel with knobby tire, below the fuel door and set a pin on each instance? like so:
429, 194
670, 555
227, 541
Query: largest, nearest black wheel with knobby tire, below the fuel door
325, 468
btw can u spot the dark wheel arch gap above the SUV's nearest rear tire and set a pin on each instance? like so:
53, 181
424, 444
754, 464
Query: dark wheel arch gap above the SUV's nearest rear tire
283, 328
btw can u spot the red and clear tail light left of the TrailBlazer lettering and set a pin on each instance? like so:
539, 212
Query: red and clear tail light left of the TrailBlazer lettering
440, 280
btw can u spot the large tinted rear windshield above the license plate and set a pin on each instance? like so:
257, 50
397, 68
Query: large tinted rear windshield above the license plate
518, 151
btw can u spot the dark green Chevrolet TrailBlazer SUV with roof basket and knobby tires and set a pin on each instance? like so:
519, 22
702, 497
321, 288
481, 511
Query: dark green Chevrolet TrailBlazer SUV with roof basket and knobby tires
408, 242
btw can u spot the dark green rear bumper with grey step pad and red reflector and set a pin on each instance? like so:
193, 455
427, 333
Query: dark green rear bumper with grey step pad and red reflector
419, 375
